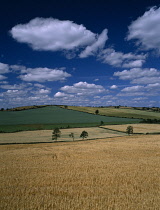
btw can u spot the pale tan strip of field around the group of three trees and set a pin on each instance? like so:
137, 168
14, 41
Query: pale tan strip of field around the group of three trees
46, 135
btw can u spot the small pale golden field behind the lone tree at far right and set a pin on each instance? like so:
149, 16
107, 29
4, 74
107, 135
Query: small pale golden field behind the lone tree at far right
137, 128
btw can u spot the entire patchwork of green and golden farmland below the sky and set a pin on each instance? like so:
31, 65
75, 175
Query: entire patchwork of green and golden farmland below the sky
108, 169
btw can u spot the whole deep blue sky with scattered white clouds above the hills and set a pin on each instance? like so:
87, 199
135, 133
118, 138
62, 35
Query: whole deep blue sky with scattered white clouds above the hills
78, 52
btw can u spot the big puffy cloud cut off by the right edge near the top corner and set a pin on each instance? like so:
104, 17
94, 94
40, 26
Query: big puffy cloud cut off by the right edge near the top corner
146, 29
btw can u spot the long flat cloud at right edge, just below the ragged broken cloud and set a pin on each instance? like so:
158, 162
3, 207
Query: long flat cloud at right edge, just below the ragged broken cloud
139, 76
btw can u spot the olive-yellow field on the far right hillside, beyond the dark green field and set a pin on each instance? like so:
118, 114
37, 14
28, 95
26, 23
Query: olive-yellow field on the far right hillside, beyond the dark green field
121, 112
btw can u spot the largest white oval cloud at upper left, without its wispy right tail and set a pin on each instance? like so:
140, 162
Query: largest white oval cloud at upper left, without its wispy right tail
52, 34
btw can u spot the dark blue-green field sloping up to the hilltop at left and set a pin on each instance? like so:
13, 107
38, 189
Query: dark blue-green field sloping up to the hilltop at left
52, 116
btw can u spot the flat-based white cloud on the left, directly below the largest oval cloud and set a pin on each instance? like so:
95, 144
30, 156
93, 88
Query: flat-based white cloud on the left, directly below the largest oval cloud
44, 74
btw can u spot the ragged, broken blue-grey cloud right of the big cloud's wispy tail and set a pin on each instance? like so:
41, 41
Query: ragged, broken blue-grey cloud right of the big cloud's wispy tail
119, 59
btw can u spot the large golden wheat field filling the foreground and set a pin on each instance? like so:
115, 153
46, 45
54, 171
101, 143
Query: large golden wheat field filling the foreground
118, 173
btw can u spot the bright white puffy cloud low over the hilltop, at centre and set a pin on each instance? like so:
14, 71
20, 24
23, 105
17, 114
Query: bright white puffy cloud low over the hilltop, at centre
83, 88
